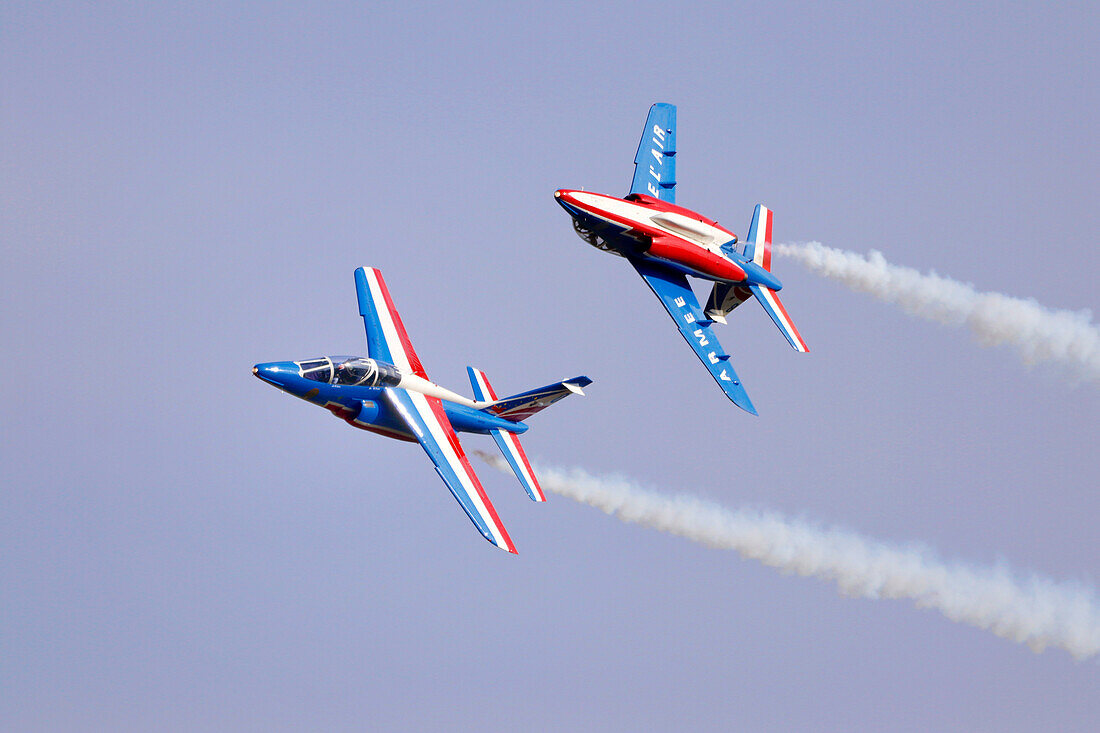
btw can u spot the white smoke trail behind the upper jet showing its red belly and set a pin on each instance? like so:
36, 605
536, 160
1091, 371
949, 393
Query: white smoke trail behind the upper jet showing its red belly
1039, 334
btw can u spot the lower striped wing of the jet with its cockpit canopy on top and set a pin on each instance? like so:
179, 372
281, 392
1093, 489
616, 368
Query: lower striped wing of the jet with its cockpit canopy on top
426, 420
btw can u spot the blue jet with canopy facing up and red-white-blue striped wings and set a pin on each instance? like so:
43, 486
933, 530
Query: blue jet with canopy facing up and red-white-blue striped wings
389, 393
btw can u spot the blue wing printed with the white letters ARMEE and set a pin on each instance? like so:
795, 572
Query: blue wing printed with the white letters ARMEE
672, 288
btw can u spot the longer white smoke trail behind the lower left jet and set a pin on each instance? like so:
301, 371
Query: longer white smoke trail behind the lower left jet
1033, 611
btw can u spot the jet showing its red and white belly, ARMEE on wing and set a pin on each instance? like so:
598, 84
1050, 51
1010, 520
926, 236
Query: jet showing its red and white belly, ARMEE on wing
666, 243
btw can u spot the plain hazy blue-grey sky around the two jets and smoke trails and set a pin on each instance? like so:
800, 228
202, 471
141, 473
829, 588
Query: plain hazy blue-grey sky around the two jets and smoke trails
185, 191
